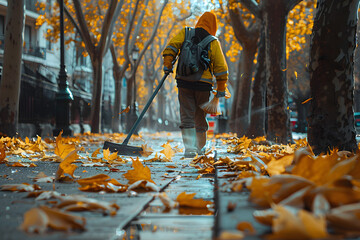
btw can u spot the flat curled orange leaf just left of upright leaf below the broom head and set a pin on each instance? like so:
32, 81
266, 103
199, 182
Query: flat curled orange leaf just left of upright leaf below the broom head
101, 182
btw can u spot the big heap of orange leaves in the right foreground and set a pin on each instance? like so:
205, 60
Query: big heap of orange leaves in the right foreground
307, 196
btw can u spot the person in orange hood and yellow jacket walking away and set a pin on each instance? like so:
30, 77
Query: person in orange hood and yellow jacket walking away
200, 61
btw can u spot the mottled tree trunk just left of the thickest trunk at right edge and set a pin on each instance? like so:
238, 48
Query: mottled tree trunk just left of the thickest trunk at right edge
275, 17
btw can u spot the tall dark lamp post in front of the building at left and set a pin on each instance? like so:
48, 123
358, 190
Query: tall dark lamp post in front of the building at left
64, 95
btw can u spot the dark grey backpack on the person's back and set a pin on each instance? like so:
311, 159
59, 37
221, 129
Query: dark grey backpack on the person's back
193, 59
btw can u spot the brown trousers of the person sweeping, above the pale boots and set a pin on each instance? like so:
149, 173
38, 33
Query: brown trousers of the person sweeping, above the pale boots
191, 115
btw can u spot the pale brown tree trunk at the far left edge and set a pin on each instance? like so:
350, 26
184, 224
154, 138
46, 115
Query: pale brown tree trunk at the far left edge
11, 76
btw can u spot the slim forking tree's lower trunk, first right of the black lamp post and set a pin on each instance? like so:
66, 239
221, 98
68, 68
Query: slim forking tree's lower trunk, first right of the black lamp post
97, 94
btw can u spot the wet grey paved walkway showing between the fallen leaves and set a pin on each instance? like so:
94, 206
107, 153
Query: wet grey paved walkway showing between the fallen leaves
142, 216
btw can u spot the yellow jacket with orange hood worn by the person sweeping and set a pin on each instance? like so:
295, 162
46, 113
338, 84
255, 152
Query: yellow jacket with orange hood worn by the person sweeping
218, 64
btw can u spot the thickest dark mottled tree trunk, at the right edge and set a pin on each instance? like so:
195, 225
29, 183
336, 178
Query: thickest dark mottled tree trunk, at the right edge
331, 119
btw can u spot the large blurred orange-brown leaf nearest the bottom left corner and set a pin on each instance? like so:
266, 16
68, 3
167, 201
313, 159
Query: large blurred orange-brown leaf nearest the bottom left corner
38, 220
